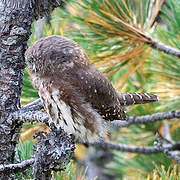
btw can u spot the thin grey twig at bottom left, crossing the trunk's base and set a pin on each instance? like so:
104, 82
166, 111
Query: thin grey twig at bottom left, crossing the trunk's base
18, 167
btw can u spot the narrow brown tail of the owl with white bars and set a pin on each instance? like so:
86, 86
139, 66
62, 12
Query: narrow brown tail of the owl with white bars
127, 99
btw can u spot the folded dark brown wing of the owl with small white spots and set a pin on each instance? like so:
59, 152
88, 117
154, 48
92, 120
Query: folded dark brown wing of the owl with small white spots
97, 90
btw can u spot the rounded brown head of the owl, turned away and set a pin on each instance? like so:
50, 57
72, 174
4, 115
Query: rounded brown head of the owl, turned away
54, 53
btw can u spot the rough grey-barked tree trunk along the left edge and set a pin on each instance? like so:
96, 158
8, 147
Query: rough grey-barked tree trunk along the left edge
15, 24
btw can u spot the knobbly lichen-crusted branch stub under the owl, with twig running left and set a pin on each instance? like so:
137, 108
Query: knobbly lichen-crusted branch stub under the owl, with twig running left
52, 150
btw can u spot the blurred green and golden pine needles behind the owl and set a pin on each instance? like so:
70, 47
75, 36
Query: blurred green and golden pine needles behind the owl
113, 34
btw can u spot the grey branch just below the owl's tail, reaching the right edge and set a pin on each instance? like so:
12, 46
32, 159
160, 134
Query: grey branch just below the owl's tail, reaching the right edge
147, 118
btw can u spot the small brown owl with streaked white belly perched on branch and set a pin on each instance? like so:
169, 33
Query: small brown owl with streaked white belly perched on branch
77, 96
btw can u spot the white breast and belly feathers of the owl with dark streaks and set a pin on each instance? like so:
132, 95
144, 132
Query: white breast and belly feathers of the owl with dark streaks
68, 117
